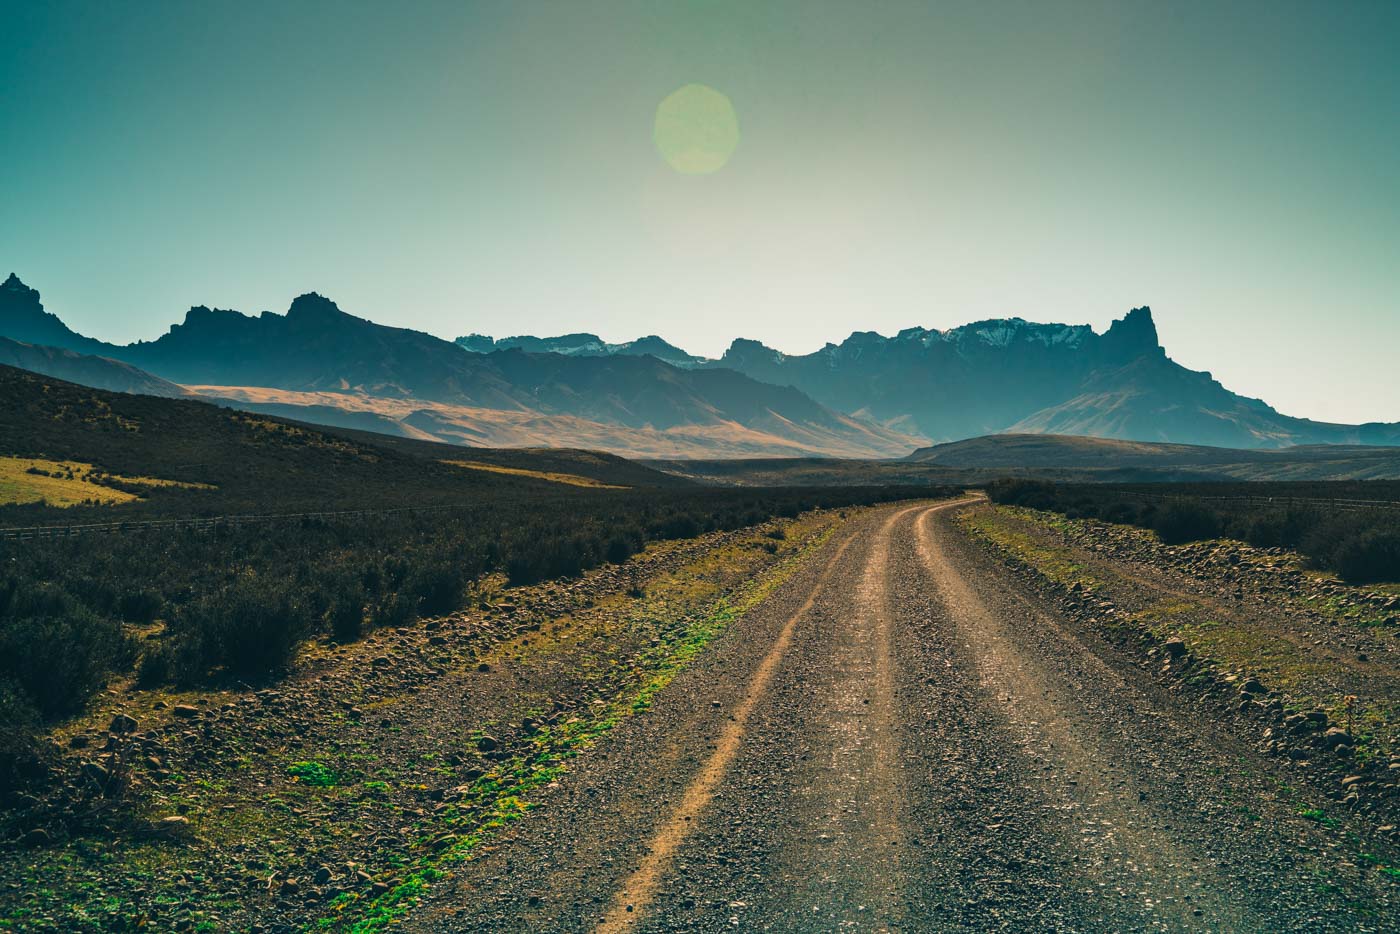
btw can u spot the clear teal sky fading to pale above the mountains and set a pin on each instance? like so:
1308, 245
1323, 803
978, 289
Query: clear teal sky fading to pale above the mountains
502, 169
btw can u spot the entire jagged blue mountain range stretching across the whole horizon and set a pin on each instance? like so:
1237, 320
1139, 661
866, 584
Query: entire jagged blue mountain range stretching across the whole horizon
869, 397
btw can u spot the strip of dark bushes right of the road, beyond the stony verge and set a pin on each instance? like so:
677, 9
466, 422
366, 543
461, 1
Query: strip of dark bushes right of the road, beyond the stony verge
1318, 520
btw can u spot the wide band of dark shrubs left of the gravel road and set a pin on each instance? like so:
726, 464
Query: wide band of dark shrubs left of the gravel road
233, 604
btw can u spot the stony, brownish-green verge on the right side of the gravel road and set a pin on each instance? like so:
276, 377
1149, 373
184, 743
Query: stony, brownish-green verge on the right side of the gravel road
1303, 666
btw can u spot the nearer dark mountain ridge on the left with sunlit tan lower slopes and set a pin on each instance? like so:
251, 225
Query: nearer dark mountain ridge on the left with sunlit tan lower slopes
330, 366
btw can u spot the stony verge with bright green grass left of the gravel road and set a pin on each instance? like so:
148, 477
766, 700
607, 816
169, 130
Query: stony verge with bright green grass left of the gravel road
337, 796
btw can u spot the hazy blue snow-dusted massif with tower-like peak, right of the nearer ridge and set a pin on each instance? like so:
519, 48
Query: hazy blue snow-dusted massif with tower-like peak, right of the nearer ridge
1013, 376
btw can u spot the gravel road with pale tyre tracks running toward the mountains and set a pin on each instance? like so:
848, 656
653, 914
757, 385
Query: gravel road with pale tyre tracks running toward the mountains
904, 739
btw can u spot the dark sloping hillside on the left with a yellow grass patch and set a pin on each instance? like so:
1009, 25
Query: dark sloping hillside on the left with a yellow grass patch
216, 461
